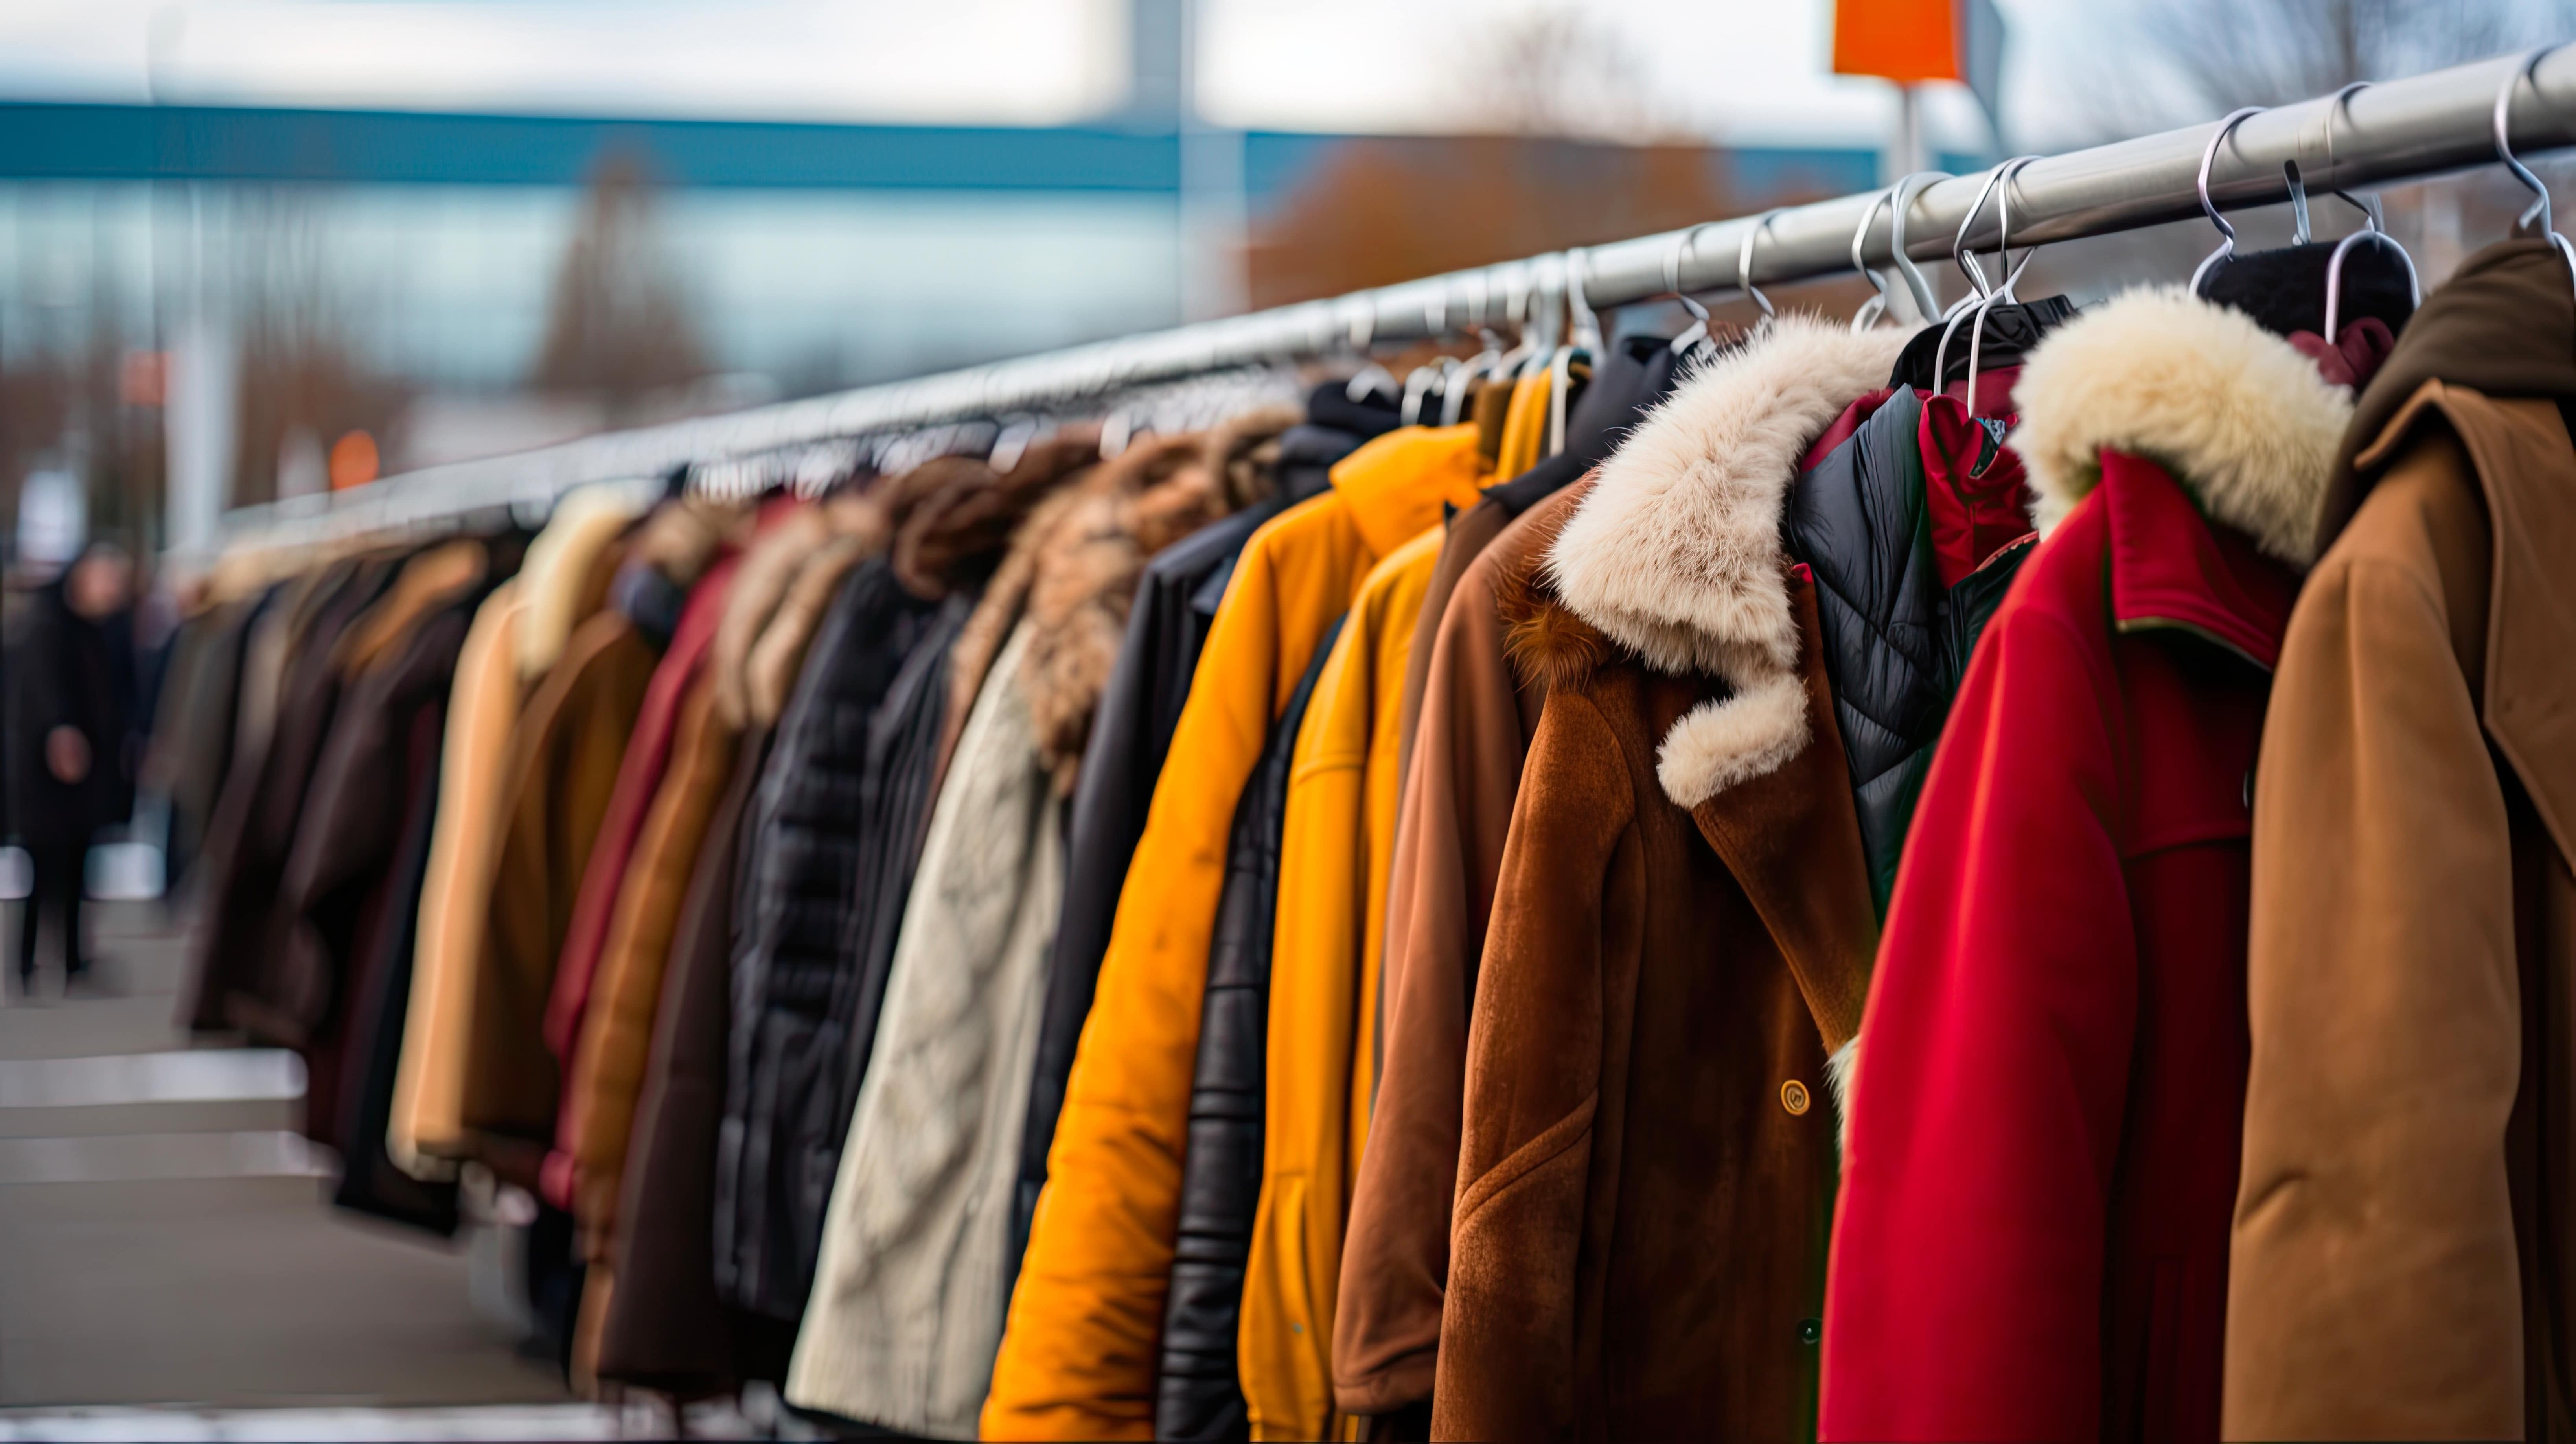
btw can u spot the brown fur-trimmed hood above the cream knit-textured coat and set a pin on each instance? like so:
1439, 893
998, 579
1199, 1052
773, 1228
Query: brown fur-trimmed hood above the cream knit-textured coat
1075, 563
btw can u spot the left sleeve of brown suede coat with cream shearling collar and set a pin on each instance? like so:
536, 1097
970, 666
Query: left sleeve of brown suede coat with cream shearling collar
1531, 1089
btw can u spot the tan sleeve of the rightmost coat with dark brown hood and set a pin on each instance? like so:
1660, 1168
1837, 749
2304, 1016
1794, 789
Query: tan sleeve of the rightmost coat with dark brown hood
2374, 1280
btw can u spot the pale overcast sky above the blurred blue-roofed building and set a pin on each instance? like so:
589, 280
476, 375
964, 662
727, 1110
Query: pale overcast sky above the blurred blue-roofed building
1745, 71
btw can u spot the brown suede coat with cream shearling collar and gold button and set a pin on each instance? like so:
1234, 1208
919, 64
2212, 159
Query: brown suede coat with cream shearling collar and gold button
1681, 937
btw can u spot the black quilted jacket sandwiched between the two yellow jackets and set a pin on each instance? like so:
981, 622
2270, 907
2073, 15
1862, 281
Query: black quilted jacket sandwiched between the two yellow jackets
1222, 1175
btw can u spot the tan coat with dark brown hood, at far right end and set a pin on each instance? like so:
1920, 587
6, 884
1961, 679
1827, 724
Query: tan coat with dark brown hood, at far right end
2402, 1254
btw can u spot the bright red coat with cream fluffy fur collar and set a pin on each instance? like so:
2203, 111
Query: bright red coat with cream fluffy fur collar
2034, 1224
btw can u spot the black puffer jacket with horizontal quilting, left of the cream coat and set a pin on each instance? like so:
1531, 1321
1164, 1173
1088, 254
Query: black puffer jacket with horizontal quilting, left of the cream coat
797, 904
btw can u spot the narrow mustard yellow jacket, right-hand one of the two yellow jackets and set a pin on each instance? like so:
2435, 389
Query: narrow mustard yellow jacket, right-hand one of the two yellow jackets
1325, 955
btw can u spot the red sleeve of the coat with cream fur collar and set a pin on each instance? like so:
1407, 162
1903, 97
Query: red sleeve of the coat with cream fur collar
1967, 1280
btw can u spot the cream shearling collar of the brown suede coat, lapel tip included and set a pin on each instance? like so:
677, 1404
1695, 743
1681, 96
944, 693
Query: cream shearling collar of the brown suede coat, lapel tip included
1676, 556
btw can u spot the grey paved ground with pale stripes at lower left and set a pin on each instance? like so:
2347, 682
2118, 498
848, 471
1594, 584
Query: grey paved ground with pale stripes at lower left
174, 1249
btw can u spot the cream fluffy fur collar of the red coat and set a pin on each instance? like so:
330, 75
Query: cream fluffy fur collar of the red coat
2237, 414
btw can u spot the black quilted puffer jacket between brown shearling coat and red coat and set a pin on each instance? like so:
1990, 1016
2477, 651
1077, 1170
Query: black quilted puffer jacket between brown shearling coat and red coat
1895, 638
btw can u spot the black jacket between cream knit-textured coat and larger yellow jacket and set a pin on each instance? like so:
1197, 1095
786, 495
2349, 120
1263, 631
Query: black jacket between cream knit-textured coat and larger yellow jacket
1140, 708
